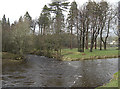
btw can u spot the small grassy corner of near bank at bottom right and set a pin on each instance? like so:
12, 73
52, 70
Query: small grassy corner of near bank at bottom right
113, 82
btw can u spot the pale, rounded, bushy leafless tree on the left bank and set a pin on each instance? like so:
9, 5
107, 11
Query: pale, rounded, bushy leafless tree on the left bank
20, 37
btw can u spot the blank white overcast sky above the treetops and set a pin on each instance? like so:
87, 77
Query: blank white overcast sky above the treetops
16, 8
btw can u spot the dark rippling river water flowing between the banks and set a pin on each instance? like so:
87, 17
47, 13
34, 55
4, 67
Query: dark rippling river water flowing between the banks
39, 71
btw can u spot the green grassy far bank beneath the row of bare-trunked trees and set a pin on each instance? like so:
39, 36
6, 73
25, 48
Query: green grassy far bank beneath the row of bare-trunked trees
73, 54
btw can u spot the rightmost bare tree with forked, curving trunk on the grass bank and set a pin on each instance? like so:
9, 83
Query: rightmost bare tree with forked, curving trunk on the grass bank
108, 16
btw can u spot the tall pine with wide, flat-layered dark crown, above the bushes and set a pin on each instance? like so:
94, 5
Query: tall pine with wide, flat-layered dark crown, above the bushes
57, 7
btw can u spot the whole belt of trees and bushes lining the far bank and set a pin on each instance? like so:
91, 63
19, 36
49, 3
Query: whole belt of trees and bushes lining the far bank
86, 27
